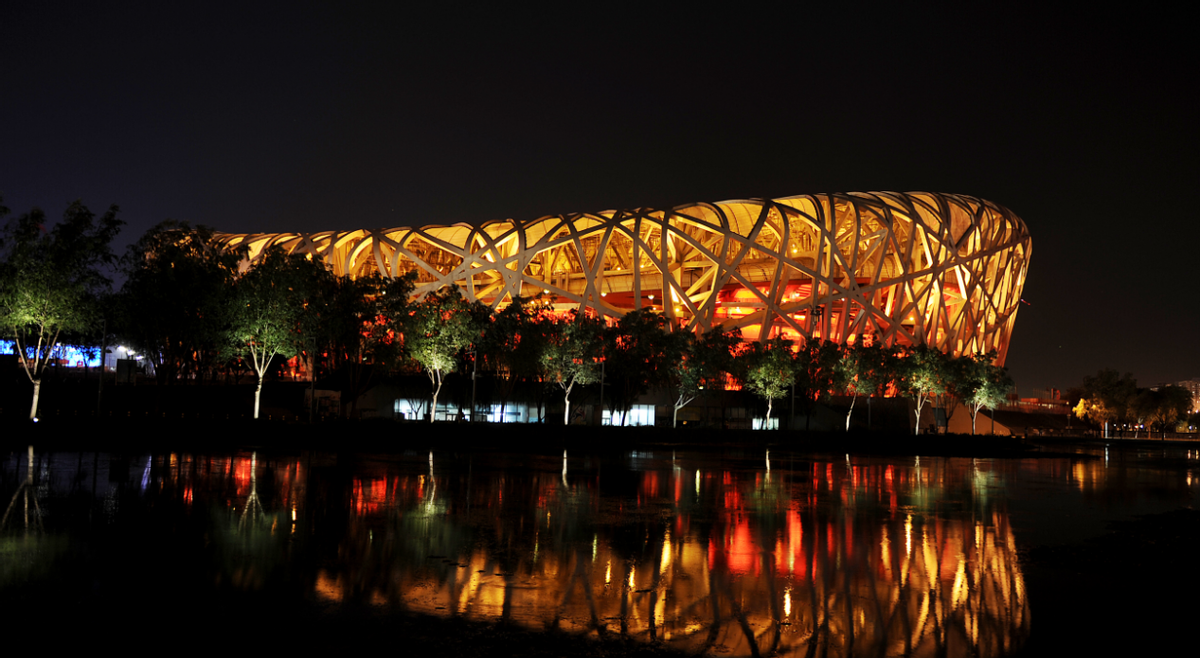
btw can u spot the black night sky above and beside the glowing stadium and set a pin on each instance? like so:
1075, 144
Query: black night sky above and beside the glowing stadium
280, 118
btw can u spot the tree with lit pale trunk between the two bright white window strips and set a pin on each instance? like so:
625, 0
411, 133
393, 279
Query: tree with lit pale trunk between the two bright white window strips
572, 355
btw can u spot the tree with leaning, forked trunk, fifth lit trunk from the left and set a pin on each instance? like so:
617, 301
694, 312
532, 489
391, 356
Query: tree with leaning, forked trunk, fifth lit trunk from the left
698, 363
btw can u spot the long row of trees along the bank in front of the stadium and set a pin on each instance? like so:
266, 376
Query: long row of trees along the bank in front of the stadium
197, 318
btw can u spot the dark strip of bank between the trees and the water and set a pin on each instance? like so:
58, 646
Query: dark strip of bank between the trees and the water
383, 436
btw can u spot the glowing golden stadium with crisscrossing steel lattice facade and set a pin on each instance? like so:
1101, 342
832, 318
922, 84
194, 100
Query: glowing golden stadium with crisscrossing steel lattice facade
907, 268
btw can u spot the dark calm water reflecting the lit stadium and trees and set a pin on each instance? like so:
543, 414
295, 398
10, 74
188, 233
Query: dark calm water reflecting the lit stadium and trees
730, 553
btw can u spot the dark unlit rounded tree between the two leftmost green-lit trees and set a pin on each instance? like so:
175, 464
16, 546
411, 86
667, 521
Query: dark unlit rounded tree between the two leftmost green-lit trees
176, 303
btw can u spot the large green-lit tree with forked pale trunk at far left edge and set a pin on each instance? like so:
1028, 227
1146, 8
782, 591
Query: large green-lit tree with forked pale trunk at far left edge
52, 280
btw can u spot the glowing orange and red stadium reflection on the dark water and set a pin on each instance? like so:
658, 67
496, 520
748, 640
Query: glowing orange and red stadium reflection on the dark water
837, 559
